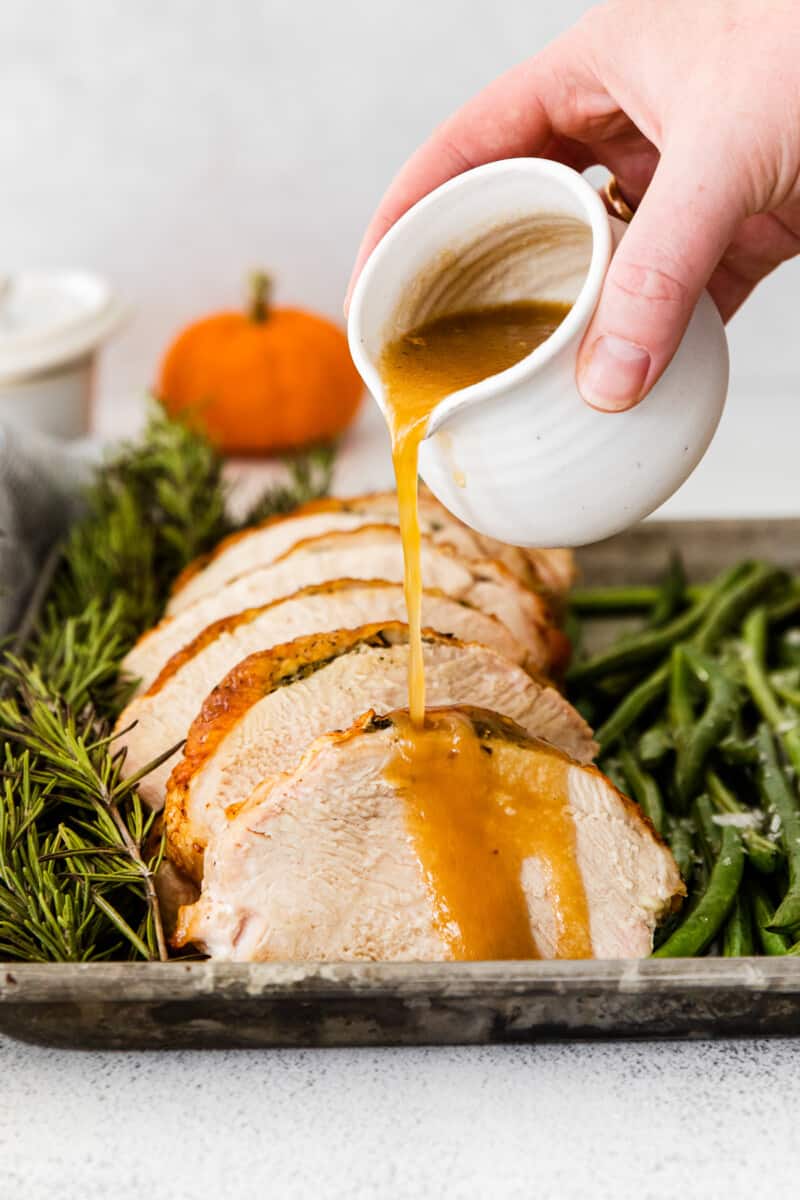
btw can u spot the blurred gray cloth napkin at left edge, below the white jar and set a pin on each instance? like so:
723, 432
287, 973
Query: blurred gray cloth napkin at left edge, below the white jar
41, 482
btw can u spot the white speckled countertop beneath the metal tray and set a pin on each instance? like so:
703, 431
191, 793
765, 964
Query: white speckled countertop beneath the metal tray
651, 1120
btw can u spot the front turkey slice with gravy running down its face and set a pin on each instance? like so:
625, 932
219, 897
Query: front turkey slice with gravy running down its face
329, 862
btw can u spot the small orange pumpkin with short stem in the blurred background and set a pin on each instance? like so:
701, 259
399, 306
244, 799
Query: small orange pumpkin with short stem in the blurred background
266, 381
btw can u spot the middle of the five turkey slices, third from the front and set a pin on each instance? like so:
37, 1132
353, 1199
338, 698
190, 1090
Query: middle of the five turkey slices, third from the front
160, 719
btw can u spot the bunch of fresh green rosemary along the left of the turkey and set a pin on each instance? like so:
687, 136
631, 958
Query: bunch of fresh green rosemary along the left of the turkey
79, 851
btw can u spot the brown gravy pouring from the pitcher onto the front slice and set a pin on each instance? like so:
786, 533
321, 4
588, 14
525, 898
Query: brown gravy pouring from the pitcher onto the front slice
472, 826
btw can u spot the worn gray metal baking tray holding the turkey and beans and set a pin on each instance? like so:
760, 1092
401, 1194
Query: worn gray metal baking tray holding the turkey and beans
179, 1005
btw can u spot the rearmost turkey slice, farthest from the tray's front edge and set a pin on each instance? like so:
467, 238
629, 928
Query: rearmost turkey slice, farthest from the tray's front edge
244, 553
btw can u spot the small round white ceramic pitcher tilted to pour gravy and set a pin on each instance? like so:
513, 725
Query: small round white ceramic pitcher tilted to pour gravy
521, 457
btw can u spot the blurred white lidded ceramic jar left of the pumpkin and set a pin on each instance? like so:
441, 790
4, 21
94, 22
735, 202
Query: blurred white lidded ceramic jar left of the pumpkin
52, 327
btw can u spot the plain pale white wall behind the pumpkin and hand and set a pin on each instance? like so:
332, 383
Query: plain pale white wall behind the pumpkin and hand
176, 145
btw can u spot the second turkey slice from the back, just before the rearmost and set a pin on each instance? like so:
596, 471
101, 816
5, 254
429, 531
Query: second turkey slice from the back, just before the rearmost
374, 553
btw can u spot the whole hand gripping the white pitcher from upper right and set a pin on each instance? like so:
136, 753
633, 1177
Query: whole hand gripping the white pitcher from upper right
696, 110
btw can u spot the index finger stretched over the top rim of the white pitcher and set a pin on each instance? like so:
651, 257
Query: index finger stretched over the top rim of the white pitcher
521, 113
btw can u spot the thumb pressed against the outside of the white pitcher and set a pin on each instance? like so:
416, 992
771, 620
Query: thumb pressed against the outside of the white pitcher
667, 256
